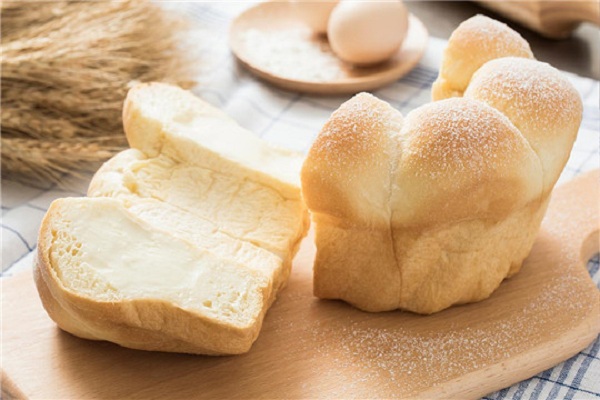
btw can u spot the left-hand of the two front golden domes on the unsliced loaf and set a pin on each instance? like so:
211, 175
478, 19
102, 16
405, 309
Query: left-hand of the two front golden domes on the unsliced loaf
346, 174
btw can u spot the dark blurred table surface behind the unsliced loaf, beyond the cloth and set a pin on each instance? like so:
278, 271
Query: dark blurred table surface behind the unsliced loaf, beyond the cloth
579, 53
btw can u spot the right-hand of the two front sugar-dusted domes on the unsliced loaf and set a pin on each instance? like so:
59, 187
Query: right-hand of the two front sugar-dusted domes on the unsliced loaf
461, 159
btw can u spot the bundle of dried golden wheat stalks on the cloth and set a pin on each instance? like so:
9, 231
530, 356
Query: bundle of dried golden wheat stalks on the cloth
66, 67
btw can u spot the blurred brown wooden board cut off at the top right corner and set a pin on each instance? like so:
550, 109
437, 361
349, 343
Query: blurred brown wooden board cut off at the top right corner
551, 18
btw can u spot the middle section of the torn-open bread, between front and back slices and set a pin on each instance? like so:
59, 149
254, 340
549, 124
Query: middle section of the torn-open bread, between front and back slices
244, 209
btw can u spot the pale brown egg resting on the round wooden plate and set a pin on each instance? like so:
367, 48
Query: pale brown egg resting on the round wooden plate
367, 32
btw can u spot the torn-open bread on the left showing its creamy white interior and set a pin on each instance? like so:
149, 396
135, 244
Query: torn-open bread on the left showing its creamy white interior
183, 241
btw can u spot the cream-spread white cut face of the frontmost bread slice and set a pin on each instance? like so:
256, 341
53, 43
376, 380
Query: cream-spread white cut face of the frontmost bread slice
101, 251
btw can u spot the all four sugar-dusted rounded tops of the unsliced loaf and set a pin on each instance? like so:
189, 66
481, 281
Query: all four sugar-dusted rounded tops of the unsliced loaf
497, 149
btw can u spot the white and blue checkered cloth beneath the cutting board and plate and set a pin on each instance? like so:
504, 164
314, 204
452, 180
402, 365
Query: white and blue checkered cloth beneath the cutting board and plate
293, 120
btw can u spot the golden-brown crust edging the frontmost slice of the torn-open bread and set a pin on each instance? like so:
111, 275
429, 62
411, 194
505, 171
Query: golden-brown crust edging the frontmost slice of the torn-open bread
145, 324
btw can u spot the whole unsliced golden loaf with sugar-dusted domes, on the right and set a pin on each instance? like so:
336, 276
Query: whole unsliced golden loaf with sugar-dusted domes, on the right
438, 208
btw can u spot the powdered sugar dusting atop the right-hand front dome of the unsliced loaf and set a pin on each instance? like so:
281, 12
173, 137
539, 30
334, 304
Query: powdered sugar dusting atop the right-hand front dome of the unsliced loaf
460, 137
